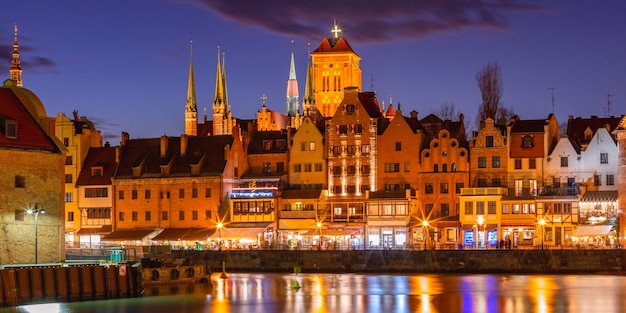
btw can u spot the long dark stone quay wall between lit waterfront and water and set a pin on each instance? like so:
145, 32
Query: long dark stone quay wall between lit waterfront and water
411, 261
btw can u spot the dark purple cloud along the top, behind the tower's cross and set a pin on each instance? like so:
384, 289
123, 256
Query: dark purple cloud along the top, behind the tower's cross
370, 21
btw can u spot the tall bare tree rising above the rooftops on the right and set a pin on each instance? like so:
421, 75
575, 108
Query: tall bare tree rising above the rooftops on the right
489, 80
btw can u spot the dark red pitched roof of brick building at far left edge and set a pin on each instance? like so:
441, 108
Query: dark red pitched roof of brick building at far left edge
30, 135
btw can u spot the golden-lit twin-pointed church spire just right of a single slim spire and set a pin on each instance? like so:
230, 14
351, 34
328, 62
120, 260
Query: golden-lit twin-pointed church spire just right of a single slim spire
222, 118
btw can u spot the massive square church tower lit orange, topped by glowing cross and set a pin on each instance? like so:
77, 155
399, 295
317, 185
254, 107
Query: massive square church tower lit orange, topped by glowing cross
335, 67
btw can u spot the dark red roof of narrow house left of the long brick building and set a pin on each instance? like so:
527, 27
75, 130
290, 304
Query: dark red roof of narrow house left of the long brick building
98, 157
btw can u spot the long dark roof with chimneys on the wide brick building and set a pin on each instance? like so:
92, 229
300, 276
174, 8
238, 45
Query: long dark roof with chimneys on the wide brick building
144, 155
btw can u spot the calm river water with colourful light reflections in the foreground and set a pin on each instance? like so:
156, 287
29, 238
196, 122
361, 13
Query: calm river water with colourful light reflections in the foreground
371, 293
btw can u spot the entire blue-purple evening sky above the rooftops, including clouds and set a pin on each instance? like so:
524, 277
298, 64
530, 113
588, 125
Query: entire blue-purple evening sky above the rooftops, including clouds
124, 64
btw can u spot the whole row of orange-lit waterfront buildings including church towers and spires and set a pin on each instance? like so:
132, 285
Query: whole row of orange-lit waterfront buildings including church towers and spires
342, 172
